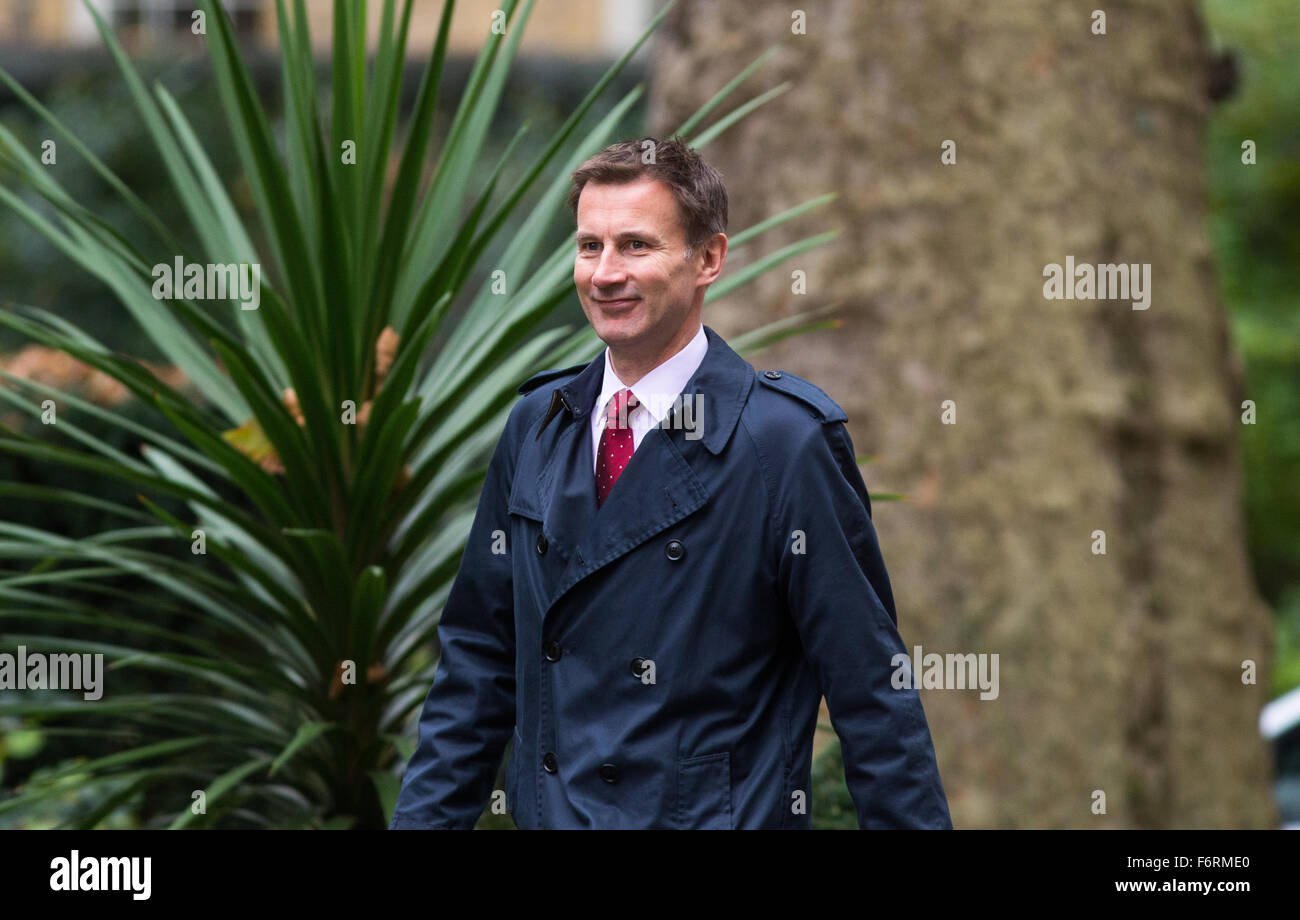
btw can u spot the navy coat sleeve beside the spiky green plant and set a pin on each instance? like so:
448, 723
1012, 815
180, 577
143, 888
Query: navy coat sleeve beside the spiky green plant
470, 713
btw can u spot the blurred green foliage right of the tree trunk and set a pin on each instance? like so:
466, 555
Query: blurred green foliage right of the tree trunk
1255, 225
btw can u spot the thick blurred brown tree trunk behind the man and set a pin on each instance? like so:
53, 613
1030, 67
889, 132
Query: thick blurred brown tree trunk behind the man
1119, 672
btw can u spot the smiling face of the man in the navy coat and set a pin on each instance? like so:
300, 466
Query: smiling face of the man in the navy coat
636, 287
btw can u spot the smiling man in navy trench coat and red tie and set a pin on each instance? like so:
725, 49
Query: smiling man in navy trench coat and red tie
681, 581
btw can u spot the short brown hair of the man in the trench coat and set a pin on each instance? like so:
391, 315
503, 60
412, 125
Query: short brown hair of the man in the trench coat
697, 188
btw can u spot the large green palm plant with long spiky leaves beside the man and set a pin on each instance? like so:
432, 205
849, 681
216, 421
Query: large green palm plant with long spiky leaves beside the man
327, 457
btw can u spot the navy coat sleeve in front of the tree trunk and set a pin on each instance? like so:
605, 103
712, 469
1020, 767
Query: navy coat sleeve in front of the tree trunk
838, 592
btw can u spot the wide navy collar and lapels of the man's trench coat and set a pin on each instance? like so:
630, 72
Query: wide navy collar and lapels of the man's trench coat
660, 485
